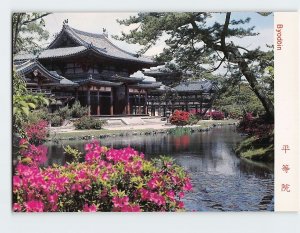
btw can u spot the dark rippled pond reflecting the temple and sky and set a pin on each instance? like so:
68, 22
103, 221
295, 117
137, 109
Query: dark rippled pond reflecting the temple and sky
221, 180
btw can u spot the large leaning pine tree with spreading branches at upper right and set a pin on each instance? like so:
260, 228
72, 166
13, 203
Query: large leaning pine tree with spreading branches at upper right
198, 45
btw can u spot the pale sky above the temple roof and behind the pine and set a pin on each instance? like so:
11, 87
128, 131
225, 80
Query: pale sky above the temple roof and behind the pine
94, 22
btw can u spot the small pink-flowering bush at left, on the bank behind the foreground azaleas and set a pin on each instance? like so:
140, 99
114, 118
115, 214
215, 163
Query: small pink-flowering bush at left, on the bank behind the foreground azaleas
37, 132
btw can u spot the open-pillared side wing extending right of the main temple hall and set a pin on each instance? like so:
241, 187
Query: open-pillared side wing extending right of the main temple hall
194, 96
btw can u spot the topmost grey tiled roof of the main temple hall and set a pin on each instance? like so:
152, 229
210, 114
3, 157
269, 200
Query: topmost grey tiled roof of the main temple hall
100, 43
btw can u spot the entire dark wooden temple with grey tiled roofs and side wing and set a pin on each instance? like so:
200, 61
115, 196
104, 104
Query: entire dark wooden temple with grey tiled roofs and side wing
88, 67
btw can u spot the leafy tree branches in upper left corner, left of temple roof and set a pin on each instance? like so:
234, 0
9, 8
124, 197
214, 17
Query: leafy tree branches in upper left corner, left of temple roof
28, 31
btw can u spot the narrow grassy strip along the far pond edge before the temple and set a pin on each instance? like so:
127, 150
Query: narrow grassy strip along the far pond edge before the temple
82, 134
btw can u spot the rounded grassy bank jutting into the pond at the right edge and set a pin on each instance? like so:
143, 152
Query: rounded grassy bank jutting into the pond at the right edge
257, 148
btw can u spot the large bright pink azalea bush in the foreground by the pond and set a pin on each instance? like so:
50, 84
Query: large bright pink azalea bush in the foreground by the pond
108, 180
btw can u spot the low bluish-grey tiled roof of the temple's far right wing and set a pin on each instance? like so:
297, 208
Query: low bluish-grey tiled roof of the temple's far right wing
195, 86
